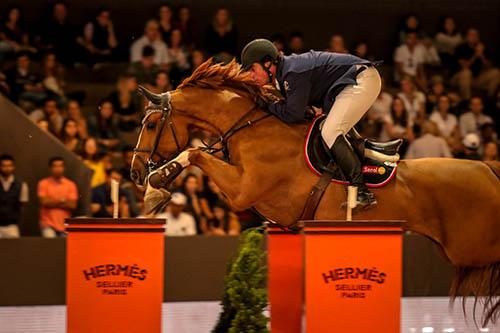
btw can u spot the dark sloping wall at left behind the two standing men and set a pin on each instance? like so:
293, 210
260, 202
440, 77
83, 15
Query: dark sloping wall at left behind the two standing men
32, 149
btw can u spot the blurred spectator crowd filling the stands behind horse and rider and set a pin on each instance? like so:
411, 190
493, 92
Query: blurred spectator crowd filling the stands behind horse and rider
440, 95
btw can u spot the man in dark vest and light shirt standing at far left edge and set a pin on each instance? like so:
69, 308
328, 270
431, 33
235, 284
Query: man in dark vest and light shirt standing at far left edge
14, 195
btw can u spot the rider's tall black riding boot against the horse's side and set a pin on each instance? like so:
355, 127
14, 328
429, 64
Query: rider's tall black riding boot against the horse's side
351, 167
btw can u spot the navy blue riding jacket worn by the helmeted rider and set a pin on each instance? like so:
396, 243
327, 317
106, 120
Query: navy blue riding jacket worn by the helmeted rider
312, 79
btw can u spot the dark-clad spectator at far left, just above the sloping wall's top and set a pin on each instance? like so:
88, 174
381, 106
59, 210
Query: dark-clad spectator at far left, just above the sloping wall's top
24, 81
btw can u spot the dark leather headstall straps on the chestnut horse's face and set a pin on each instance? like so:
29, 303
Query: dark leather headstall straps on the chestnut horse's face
165, 108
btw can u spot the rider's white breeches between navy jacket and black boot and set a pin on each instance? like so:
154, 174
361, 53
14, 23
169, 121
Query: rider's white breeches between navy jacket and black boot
351, 104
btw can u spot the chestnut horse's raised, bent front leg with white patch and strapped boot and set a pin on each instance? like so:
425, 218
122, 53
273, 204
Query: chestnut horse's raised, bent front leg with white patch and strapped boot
229, 178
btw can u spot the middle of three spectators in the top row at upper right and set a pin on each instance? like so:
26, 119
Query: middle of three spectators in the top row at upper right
447, 40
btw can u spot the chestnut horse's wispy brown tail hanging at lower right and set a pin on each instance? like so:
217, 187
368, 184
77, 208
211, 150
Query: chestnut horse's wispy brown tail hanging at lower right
484, 284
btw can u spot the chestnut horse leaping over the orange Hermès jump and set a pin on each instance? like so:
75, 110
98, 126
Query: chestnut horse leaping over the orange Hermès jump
454, 202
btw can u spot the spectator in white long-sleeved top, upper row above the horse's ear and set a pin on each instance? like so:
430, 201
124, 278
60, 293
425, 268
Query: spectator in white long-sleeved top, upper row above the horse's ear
151, 37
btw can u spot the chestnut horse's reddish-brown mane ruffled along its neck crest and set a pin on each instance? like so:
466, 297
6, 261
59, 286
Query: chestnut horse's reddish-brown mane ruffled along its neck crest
210, 75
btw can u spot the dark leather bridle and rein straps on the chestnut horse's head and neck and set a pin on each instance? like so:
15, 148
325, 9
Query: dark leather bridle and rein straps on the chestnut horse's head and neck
165, 108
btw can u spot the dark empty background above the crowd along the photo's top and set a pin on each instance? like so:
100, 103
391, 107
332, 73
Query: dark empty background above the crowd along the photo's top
374, 21
